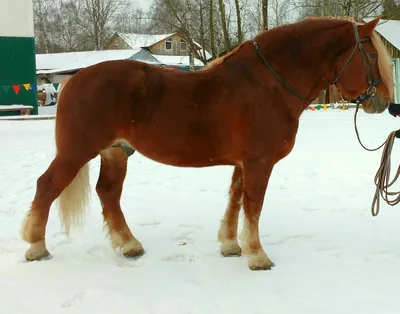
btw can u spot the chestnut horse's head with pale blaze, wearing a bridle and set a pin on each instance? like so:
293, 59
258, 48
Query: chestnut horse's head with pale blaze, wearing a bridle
364, 72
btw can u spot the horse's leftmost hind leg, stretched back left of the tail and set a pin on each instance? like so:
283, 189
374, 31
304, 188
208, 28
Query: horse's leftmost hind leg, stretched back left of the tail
50, 184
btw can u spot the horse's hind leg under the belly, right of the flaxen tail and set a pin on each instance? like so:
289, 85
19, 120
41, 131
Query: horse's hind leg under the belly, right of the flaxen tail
109, 188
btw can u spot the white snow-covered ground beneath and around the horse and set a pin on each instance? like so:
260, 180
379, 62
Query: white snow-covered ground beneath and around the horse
331, 255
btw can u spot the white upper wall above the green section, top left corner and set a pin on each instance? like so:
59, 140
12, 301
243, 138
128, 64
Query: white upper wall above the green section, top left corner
16, 18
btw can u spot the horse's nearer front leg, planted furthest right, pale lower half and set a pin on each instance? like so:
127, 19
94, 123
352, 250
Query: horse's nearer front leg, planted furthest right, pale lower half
256, 175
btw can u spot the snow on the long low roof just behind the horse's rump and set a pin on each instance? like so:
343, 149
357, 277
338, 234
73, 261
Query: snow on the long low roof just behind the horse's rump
71, 61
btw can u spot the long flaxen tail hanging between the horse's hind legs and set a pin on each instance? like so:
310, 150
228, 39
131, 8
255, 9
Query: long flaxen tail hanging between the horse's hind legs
73, 201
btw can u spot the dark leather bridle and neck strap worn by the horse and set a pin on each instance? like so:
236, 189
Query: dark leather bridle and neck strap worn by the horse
370, 92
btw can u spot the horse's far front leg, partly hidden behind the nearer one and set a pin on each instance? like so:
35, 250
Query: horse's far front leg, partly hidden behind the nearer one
227, 234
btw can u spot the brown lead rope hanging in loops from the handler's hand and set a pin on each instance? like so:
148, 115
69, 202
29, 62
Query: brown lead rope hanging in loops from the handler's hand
382, 177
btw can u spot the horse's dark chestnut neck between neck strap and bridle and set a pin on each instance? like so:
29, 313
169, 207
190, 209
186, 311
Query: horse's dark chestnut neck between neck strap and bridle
308, 68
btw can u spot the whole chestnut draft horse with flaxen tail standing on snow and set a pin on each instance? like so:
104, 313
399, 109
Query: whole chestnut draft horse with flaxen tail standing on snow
241, 110
